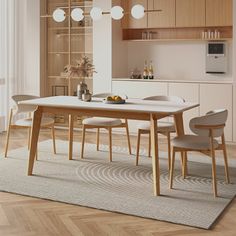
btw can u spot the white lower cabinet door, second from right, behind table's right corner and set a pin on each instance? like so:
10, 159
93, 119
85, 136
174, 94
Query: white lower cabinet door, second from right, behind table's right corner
189, 92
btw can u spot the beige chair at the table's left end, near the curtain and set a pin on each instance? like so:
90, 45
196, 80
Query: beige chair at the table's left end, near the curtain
27, 122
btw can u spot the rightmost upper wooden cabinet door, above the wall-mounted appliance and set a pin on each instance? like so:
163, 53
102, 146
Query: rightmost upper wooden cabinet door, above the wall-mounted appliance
219, 13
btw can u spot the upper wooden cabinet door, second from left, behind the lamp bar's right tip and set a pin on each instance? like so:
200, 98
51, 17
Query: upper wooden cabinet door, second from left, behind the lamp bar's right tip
164, 18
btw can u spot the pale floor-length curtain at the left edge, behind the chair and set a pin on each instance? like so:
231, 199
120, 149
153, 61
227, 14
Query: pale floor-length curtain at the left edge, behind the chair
19, 52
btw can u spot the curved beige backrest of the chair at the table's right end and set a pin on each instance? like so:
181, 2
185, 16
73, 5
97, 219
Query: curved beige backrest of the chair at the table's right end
216, 117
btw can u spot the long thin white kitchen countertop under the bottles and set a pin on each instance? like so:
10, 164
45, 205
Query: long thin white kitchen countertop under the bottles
176, 81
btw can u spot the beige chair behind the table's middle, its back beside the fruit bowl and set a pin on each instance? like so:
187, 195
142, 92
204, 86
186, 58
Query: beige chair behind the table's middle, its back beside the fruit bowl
105, 123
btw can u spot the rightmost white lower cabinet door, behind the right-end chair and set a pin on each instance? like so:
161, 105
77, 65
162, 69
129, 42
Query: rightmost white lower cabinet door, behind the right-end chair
218, 96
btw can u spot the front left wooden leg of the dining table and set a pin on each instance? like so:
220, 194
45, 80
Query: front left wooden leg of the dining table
34, 139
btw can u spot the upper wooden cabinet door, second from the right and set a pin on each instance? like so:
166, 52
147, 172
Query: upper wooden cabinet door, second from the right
190, 13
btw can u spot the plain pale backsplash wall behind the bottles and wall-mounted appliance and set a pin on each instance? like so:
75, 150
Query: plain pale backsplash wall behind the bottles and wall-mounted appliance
174, 60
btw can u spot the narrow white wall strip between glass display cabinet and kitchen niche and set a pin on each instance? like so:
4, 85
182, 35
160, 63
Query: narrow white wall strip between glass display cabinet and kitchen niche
102, 49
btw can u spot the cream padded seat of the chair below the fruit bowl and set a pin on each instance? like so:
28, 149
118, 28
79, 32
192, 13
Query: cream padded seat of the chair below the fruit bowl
102, 122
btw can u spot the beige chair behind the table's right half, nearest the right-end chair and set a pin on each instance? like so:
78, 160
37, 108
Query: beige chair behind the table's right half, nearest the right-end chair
165, 128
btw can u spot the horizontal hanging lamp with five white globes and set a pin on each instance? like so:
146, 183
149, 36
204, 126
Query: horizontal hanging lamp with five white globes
96, 13
